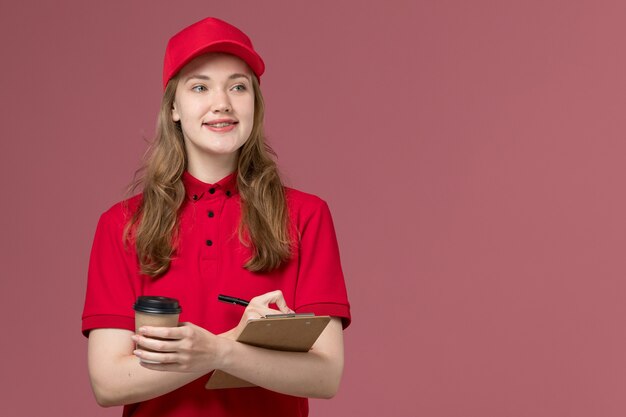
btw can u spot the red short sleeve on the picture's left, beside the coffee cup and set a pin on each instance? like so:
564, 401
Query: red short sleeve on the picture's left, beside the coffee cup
112, 282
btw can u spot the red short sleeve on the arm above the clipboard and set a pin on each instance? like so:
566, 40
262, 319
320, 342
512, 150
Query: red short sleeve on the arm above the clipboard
321, 288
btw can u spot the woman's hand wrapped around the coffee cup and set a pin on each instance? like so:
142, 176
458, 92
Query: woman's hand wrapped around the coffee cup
188, 348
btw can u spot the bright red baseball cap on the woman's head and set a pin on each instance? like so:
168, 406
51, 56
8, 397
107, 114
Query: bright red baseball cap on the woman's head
209, 35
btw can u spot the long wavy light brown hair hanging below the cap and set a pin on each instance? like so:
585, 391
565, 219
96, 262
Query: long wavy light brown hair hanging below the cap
264, 225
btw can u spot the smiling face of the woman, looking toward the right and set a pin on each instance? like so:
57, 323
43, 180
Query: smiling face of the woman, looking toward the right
214, 104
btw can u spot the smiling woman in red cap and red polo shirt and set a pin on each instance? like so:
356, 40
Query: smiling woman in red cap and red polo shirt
213, 217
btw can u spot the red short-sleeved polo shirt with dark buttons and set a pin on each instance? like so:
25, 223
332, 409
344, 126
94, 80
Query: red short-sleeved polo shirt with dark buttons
209, 261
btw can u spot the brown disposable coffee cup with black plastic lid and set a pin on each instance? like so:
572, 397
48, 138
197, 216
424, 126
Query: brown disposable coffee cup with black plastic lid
155, 311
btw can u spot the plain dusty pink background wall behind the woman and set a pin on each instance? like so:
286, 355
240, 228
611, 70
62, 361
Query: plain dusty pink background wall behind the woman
472, 154
